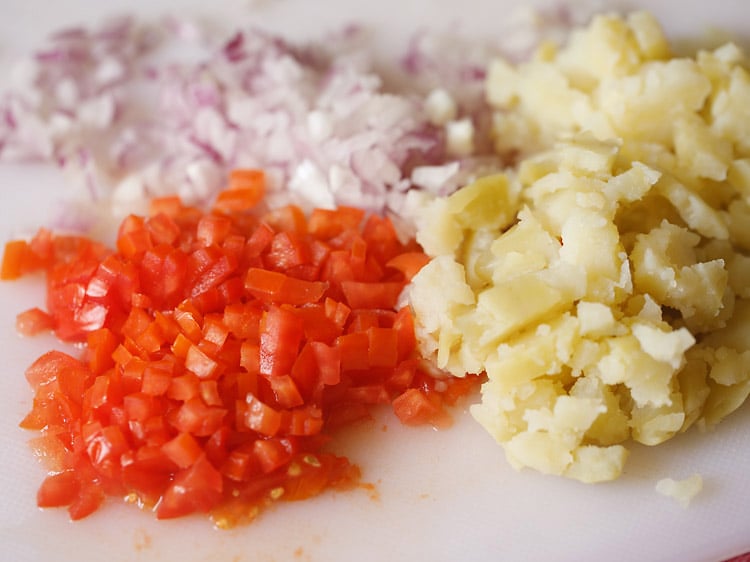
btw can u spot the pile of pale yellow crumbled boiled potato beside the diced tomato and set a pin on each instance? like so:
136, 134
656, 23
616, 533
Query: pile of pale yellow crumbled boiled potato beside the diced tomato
602, 284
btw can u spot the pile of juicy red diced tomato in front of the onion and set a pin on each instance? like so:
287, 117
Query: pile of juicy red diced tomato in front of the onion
222, 350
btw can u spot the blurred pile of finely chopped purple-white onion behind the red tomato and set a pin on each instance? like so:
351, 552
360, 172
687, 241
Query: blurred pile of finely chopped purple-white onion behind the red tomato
132, 110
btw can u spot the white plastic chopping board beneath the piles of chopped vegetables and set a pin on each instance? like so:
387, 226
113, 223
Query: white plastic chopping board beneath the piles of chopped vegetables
439, 495
